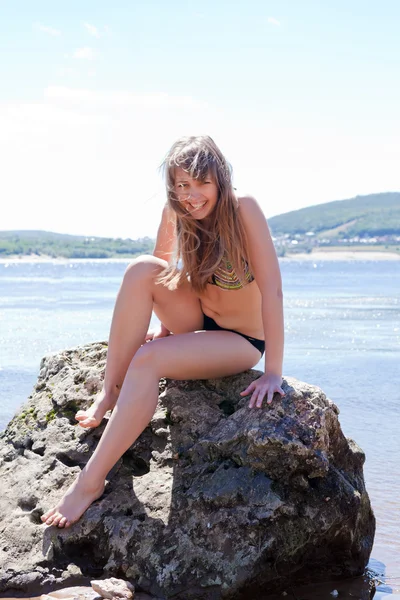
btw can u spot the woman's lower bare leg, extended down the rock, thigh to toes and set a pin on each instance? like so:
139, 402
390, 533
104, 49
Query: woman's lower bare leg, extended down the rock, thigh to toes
188, 356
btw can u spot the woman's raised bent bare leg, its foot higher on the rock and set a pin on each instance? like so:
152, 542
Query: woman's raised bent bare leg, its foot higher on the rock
130, 322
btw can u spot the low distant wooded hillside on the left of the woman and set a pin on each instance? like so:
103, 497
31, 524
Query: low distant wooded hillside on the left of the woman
39, 243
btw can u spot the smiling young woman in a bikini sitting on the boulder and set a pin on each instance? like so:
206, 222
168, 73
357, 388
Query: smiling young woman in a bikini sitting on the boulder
220, 306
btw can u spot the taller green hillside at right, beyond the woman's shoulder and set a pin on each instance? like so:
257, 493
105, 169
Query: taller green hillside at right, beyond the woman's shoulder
363, 216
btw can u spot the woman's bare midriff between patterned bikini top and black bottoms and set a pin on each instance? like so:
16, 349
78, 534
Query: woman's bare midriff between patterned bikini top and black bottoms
239, 310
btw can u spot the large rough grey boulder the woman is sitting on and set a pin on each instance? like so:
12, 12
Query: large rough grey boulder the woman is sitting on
214, 500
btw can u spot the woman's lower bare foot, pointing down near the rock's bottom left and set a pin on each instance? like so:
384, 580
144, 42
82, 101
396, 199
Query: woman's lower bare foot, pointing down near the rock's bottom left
75, 501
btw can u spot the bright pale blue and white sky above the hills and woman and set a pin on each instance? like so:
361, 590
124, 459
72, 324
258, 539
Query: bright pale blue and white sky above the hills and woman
302, 97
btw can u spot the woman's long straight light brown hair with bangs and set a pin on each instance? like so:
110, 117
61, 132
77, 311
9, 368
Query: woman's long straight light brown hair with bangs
202, 246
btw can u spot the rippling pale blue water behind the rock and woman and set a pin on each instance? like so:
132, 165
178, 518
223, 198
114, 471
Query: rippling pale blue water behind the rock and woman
342, 330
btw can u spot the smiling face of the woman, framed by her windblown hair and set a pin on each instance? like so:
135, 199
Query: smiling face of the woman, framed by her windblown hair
197, 196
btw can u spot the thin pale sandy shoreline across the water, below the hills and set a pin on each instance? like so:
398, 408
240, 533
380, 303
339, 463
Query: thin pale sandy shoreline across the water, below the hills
321, 255
